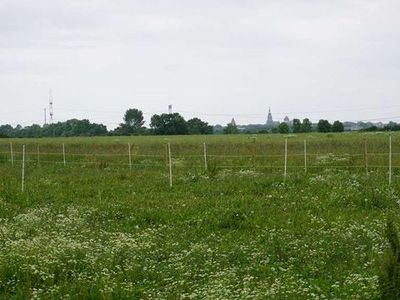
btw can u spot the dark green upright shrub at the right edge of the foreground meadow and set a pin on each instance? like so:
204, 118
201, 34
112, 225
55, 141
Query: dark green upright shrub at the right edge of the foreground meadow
389, 281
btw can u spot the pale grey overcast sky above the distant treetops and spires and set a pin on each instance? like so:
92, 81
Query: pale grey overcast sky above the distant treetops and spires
215, 59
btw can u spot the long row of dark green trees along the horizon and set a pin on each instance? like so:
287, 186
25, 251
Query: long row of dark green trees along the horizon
167, 124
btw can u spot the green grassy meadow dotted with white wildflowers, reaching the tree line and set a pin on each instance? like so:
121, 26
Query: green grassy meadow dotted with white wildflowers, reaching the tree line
100, 228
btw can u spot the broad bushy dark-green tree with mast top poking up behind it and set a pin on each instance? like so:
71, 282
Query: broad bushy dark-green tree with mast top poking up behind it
169, 124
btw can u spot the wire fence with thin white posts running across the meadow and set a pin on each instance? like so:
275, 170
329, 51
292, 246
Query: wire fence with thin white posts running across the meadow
290, 158
